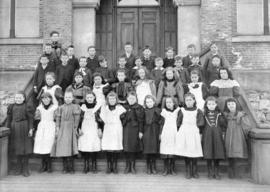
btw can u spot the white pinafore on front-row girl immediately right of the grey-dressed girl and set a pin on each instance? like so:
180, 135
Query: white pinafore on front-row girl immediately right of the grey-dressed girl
89, 140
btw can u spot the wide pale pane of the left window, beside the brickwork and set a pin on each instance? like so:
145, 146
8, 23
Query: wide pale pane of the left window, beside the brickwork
27, 18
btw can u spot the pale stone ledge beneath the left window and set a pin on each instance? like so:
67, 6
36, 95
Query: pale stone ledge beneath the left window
21, 41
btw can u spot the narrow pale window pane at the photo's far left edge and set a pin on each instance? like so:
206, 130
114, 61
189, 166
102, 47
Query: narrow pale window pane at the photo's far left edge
4, 18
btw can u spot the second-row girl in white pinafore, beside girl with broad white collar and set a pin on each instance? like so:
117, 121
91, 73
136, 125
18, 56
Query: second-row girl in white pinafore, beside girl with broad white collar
198, 89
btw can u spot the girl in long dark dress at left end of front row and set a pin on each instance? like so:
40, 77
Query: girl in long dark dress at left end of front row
20, 122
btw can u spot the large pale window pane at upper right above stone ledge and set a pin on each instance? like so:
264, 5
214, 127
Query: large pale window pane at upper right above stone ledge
250, 17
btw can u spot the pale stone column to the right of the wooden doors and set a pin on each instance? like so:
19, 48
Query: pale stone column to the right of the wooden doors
188, 22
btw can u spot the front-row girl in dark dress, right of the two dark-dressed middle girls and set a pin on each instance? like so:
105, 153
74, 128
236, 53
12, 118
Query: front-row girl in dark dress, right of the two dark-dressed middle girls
150, 134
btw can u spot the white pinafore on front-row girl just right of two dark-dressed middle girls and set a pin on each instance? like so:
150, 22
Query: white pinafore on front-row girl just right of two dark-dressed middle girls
167, 143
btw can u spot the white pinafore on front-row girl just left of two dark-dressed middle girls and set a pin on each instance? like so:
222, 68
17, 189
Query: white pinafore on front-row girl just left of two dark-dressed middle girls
112, 139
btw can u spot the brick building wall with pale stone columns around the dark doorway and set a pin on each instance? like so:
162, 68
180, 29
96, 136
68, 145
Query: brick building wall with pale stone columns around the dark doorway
197, 21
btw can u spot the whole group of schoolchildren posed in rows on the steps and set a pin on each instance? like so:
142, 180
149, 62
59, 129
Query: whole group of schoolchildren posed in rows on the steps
167, 108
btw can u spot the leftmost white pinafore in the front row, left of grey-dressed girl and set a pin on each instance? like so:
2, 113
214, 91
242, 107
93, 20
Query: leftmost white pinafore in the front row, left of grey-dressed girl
45, 134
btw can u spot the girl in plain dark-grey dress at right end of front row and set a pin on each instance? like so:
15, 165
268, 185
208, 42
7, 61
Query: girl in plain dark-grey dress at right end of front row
236, 135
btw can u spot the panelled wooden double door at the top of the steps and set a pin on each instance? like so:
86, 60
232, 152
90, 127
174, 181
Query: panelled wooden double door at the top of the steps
141, 27
